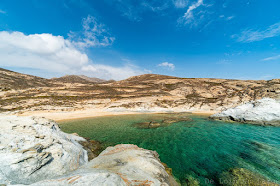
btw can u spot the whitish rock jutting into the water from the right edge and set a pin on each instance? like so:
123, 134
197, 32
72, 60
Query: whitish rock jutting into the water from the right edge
265, 111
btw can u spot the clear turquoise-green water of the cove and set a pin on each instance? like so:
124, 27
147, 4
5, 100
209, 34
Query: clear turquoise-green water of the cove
200, 148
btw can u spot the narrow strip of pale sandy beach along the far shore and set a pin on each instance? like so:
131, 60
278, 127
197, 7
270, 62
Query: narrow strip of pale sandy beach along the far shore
59, 116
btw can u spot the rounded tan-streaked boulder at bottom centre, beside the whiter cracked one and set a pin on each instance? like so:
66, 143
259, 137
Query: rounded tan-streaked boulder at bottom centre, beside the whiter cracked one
119, 165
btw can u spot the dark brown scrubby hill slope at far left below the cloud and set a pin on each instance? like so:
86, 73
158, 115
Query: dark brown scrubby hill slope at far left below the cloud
14, 80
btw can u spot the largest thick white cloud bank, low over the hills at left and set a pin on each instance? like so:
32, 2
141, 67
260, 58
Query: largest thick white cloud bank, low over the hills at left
54, 54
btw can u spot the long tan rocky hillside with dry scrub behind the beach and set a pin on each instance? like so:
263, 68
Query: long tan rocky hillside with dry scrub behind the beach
149, 92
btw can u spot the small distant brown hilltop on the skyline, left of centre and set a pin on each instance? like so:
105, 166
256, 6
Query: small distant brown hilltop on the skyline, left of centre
78, 79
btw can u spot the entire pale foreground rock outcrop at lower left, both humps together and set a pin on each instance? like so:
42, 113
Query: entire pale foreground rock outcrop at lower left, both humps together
34, 151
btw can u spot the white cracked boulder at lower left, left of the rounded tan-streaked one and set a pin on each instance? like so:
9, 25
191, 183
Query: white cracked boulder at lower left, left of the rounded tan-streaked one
33, 149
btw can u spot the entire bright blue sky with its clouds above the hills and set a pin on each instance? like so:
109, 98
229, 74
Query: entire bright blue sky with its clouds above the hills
115, 39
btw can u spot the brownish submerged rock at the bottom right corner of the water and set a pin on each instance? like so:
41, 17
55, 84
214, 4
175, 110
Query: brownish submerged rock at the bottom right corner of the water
241, 176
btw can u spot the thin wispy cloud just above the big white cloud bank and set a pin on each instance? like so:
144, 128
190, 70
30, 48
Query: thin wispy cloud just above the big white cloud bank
93, 34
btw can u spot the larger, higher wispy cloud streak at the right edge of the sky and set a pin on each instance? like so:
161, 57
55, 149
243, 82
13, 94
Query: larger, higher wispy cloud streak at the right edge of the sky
249, 35
